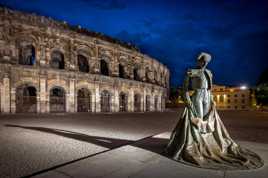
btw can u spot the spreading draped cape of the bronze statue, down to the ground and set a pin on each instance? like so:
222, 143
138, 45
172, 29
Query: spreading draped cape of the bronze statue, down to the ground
209, 145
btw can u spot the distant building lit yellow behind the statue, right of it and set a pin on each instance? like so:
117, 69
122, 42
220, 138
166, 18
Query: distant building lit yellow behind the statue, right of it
232, 98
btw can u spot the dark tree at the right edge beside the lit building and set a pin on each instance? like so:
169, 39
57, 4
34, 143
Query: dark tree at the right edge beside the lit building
261, 91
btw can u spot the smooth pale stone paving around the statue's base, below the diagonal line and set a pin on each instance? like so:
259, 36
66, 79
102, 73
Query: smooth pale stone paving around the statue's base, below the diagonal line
132, 161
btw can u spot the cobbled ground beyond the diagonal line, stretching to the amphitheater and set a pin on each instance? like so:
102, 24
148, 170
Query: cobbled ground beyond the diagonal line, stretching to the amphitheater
33, 144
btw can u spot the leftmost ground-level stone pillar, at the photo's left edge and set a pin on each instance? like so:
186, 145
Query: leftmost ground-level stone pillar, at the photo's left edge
5, 95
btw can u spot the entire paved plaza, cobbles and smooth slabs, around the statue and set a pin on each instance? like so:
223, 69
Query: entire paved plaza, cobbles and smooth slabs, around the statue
113, 145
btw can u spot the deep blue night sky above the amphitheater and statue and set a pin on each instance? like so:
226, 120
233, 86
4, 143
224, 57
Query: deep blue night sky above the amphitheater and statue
234, 32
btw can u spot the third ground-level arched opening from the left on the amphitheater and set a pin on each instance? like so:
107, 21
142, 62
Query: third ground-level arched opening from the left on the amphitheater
83, 100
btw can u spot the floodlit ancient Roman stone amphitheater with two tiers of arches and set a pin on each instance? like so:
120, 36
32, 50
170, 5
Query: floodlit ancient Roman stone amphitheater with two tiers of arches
50, 66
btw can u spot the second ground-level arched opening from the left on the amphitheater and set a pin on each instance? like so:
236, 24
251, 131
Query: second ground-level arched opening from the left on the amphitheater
57, 100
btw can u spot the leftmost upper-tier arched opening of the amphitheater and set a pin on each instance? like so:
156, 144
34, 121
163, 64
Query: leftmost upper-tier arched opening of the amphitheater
27, 55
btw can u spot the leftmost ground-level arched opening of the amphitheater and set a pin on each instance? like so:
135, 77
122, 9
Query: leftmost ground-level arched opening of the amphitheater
26, 100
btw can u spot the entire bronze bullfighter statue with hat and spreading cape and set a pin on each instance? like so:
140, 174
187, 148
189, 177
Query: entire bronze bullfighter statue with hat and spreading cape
200, 138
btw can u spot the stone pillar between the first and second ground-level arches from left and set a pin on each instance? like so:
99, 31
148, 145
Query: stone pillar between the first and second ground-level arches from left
43, 102
